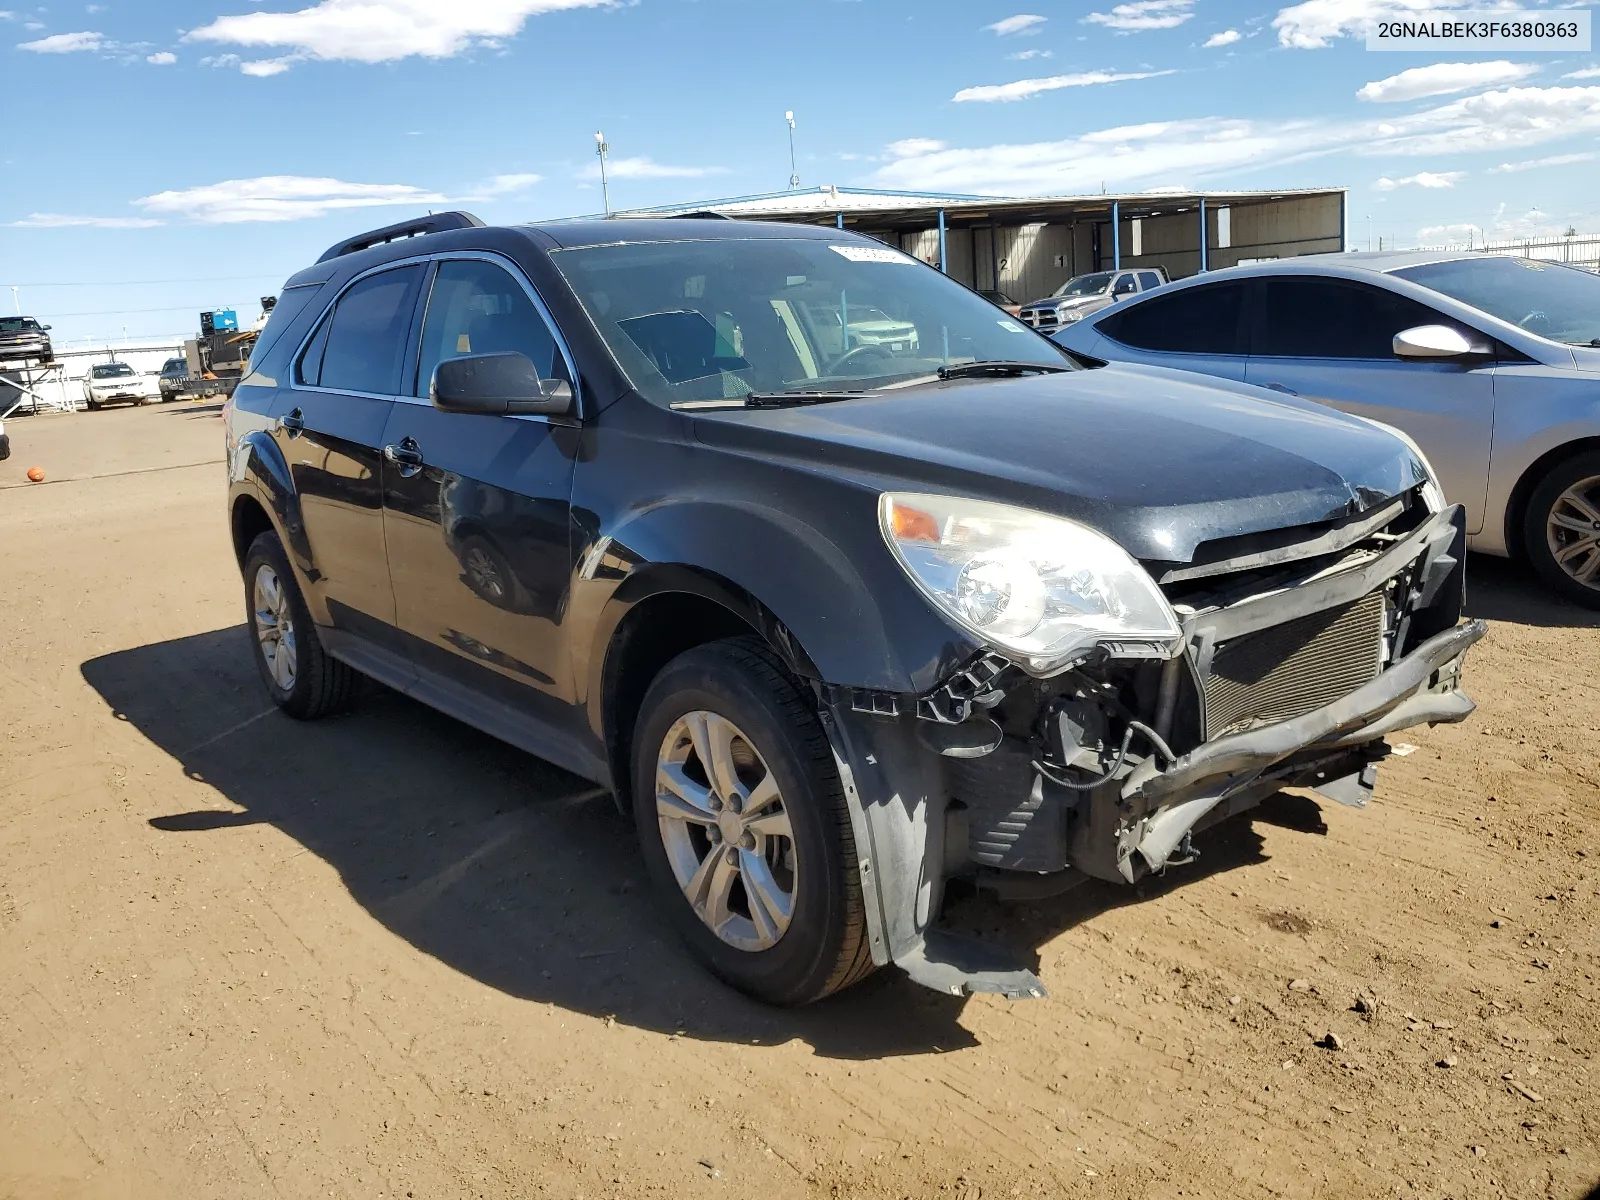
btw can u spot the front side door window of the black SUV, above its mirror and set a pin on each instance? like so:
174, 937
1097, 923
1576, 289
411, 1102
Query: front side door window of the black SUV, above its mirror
478, 308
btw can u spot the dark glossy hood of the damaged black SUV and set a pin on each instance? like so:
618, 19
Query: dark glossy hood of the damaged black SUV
1158, 460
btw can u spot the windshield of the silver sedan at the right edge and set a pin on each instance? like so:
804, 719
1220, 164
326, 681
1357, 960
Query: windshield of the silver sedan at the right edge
1546, 298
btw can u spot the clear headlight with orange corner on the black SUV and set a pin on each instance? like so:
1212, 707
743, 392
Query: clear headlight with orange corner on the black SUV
1041, 590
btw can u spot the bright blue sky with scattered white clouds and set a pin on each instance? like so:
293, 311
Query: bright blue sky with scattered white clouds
169, 156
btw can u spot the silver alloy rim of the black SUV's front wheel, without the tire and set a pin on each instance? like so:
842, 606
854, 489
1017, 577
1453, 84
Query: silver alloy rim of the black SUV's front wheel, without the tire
726, 831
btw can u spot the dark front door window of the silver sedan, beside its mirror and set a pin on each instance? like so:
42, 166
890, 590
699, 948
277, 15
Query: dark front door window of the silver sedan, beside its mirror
1306, 318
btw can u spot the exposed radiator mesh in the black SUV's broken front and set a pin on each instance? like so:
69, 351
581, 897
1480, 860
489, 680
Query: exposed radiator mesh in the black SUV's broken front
1292, 670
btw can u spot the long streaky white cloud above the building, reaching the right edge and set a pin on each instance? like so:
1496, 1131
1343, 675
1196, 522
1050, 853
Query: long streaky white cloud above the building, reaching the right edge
1190, 150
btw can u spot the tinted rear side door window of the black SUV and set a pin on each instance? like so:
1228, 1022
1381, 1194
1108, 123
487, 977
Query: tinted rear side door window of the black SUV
362, 345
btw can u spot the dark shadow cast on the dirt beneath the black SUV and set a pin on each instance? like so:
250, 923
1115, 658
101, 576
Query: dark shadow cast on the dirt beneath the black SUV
521, 876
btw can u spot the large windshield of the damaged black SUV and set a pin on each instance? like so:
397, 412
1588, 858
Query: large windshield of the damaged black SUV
721, 319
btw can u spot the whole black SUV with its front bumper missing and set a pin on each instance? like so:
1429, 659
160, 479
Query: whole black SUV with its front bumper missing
836, 622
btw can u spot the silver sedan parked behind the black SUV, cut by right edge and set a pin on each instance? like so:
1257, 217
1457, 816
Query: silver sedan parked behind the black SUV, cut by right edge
1492, 366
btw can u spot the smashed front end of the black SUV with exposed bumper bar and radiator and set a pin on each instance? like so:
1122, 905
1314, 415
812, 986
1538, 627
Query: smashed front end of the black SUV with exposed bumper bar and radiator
1298, 654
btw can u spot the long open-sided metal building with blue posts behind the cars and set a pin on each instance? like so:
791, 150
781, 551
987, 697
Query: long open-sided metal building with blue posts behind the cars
1030, 247
